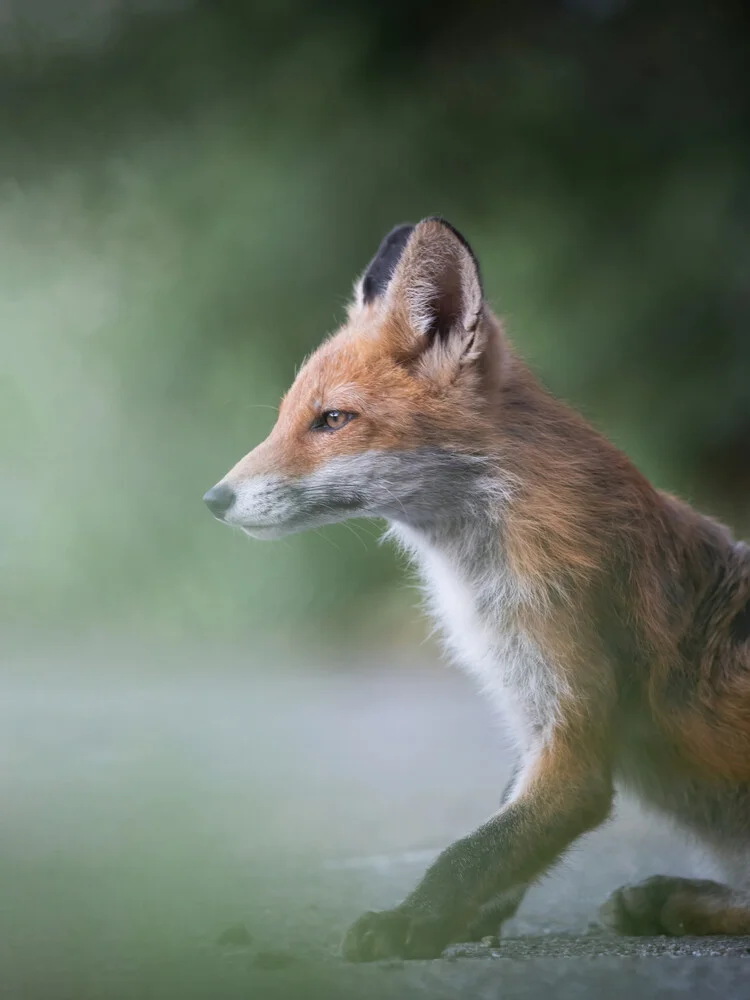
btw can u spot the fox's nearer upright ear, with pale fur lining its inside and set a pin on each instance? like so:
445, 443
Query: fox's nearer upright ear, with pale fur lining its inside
437, 288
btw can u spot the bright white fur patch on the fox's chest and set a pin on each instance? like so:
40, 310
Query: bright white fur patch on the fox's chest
475, 601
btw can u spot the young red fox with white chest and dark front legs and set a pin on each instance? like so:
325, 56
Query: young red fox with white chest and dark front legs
607, 620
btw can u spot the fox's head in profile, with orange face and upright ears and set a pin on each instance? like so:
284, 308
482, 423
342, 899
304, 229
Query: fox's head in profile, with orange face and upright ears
390, 417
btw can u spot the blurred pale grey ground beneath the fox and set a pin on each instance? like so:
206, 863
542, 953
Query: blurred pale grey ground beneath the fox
153, 801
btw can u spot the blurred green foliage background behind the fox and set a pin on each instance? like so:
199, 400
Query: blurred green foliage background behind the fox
189, 189
